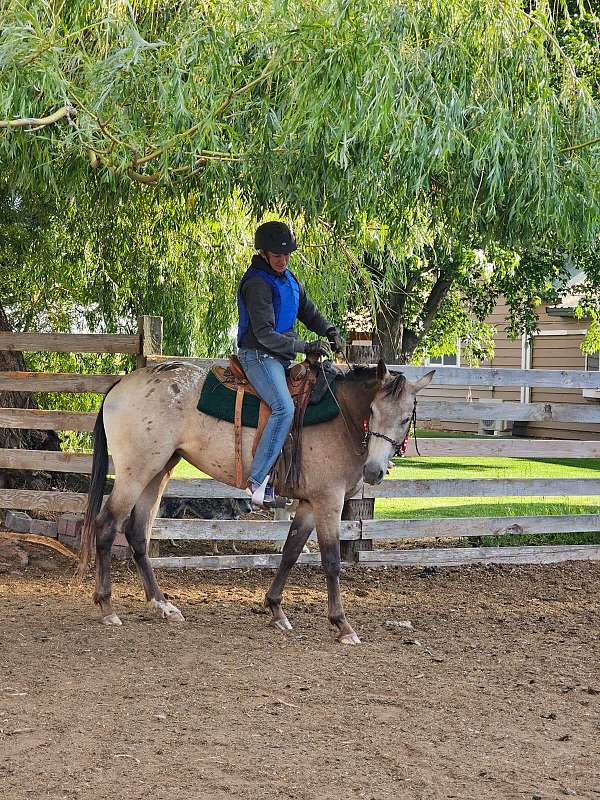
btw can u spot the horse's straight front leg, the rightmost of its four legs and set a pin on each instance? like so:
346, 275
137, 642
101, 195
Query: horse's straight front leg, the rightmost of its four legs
328, 514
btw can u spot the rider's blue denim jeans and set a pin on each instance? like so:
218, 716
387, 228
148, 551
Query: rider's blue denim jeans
267, 375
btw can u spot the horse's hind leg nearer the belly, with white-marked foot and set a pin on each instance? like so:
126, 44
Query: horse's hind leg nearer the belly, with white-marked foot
138, 534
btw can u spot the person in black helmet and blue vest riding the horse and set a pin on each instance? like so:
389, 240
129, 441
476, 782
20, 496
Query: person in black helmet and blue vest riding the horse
270, 299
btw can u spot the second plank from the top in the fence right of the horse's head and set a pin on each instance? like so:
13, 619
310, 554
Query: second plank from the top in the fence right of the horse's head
485, 409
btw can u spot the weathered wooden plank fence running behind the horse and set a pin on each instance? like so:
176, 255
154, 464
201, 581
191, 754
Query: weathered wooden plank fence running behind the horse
360, 536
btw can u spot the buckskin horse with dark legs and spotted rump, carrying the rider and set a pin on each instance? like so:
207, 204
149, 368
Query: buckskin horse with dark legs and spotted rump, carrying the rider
149, 420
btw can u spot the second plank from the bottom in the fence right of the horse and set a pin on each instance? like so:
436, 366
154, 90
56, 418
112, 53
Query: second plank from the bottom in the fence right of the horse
448, 527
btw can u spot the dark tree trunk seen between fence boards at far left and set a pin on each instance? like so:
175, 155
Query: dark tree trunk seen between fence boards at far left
17, 437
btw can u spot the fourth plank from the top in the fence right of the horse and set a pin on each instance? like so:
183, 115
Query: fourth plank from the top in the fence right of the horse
485, 487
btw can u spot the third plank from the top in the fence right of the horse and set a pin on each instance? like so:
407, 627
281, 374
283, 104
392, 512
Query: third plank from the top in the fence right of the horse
493, 447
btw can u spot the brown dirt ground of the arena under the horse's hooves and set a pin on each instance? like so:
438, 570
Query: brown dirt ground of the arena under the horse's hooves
495, 694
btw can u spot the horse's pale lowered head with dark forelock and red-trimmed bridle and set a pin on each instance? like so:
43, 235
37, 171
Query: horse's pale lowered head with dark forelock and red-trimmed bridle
390, 417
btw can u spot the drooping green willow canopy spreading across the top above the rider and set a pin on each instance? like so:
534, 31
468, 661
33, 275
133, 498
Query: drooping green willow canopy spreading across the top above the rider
415, 132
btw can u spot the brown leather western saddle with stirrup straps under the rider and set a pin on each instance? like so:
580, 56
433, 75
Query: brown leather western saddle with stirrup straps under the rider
301, 379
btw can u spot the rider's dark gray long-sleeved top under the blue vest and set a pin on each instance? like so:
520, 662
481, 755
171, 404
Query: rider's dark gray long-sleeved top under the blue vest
261, 333
